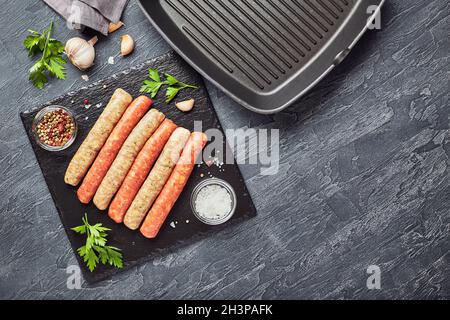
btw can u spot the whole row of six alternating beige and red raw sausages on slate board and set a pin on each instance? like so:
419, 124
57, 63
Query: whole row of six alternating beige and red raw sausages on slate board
134, 161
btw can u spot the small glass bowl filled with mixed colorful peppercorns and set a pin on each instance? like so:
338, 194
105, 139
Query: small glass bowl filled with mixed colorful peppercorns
54, 128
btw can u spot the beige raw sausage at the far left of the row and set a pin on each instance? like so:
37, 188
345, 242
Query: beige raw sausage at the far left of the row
96, 138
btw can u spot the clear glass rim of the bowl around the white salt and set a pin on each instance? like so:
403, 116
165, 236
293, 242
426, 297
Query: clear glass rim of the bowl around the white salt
209, 182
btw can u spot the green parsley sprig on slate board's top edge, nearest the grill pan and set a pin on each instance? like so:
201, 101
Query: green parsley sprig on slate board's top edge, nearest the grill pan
155, 83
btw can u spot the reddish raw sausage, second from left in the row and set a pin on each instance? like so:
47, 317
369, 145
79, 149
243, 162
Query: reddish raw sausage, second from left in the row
95, 175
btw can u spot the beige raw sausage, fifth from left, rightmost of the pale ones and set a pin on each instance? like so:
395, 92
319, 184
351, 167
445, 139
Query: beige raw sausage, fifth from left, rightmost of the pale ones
156, 179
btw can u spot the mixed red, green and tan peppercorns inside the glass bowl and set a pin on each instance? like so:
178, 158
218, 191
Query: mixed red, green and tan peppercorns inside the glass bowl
55, 128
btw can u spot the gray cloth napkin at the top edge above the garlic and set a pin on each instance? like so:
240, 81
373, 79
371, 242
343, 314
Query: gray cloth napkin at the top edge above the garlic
95, 14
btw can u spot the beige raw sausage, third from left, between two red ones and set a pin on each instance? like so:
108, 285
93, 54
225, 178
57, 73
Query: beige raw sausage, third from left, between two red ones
125, 158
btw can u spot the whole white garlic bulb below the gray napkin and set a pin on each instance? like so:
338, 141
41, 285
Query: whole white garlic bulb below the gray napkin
81, 52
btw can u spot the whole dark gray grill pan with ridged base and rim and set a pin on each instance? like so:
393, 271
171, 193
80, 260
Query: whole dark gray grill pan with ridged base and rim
265, 54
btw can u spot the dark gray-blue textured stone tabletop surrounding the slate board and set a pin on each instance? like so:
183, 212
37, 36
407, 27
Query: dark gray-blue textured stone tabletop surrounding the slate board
364, 176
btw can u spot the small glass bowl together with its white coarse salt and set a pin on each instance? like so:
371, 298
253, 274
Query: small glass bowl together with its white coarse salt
213, 201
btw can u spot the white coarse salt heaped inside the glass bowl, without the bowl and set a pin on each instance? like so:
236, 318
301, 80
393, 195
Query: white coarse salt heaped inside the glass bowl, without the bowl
213, 202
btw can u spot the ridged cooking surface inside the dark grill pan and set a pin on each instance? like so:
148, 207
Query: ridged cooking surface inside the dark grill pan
248, 38
